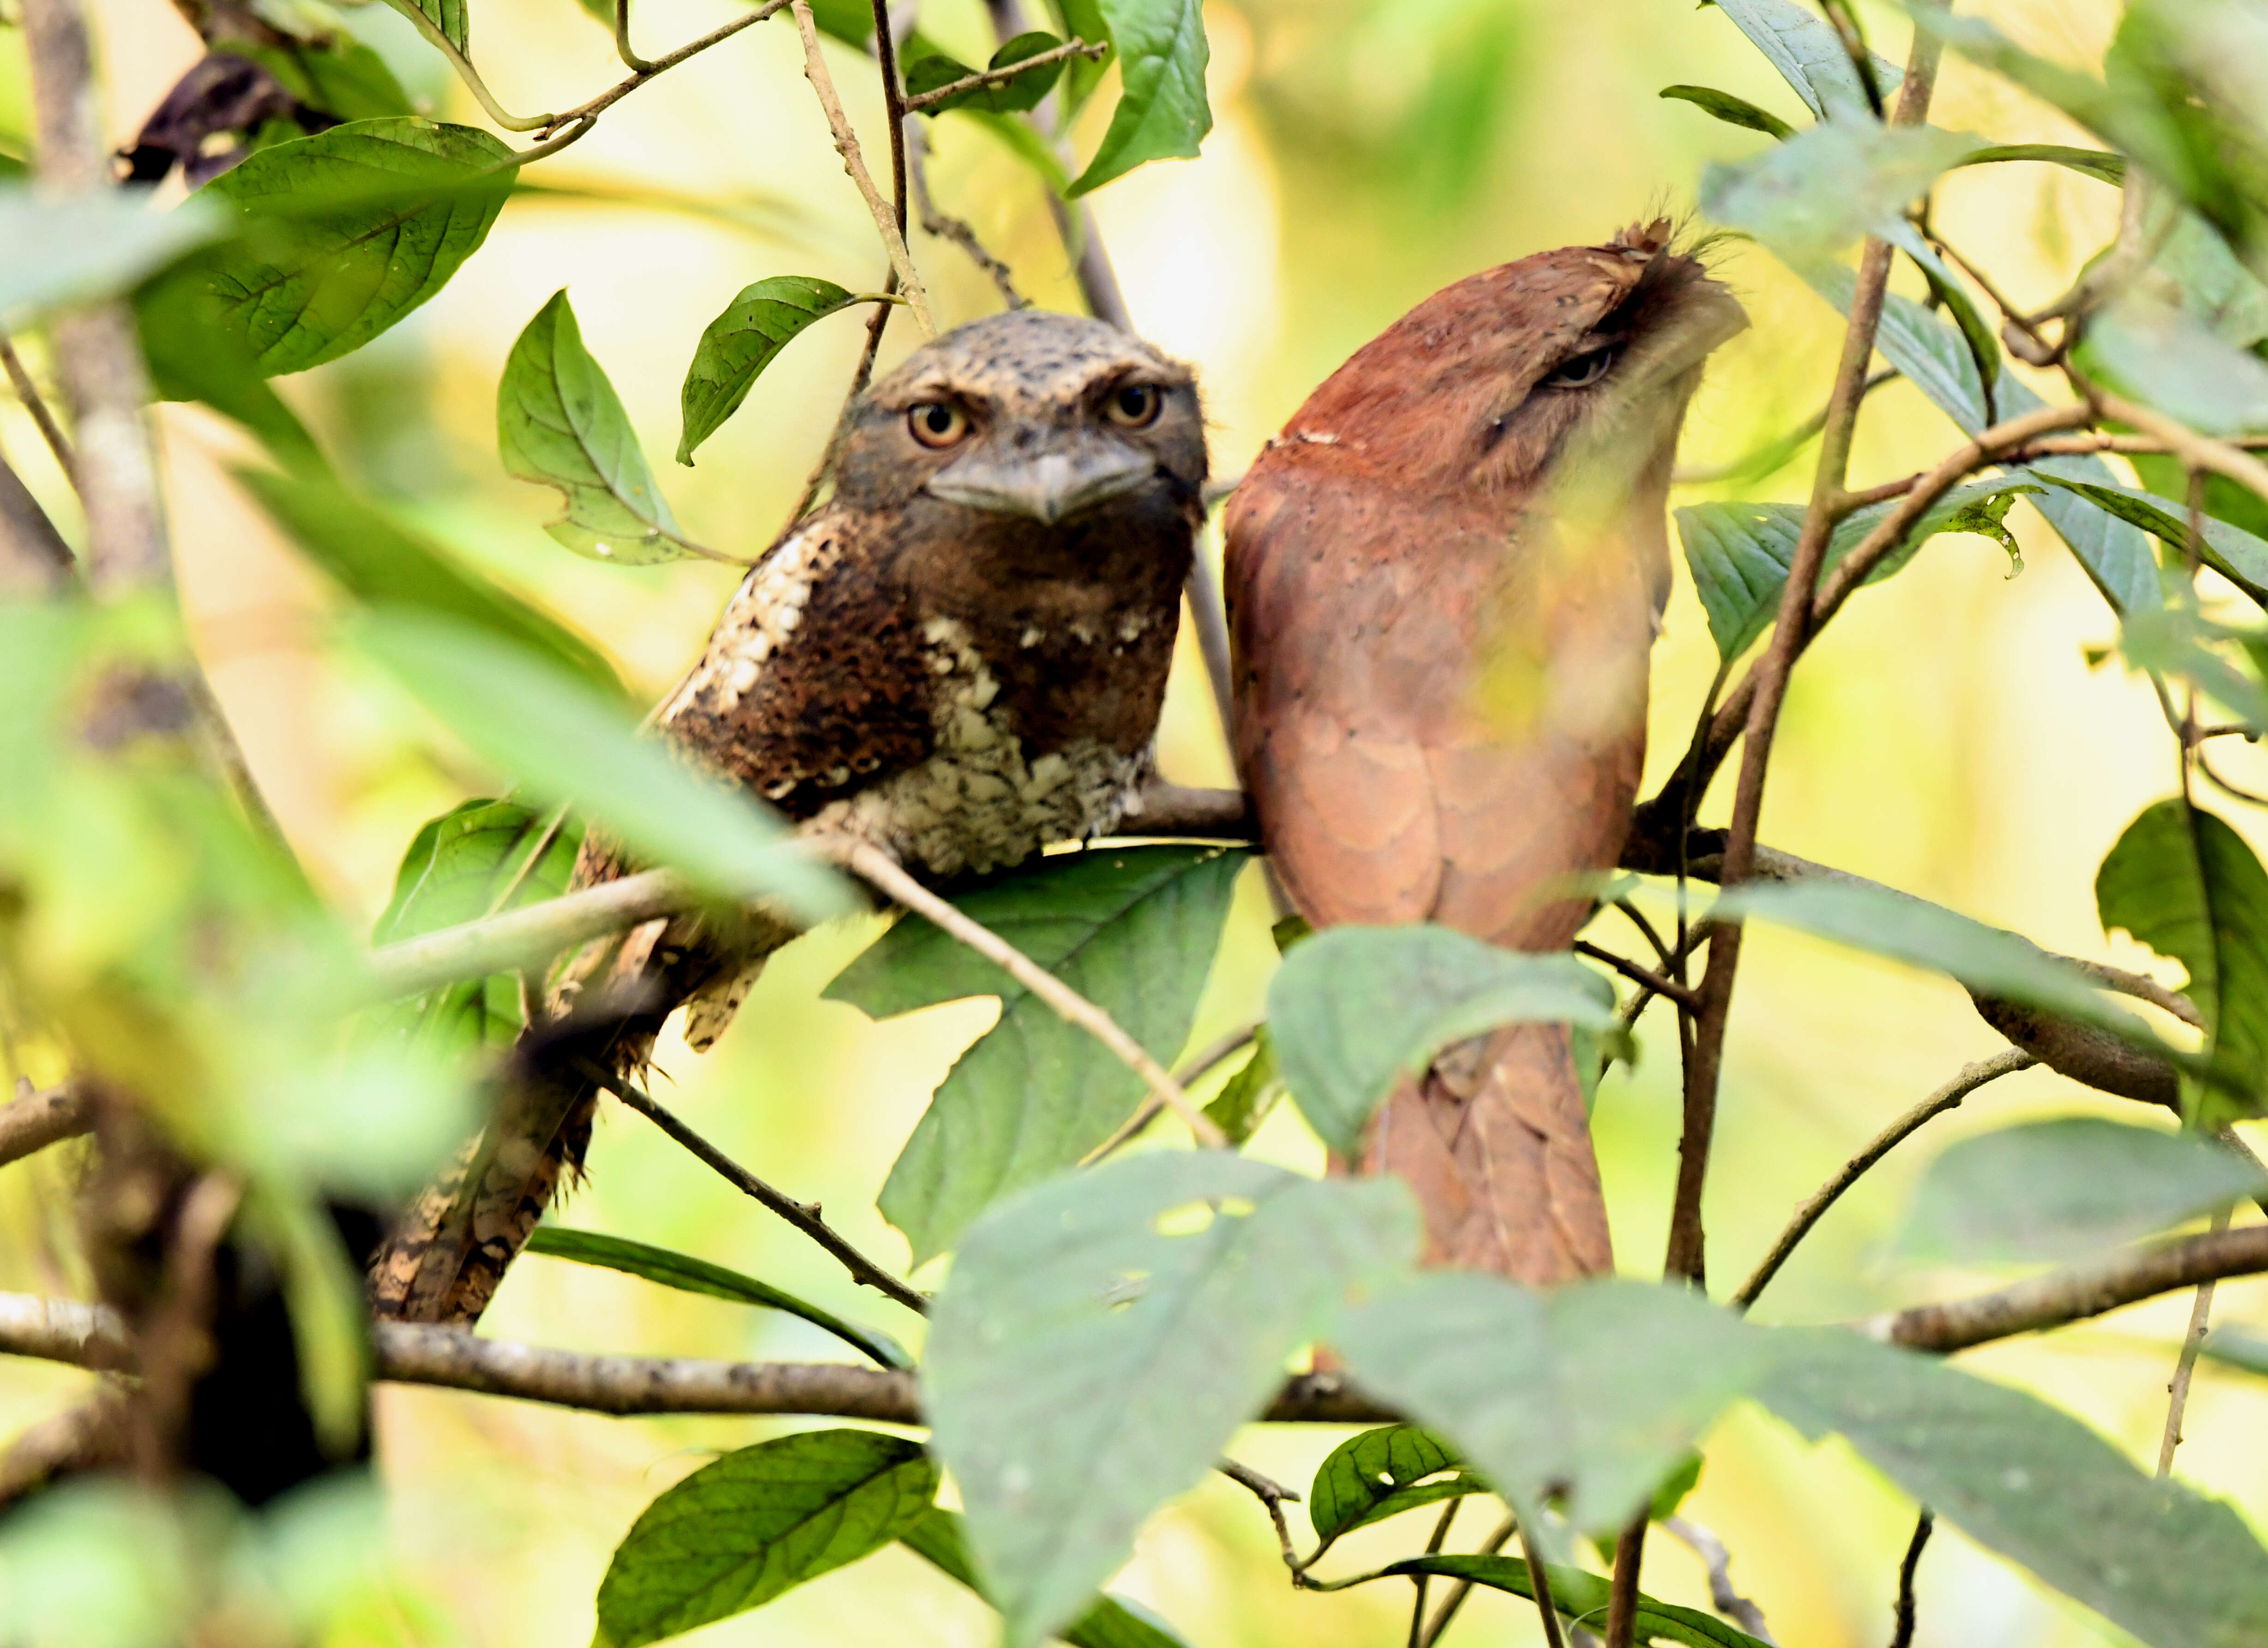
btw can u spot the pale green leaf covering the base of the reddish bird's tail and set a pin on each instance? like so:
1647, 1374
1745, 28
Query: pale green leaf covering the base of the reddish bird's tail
1355, 1010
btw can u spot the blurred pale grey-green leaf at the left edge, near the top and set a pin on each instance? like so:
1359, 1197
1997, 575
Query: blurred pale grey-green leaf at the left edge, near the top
81, 248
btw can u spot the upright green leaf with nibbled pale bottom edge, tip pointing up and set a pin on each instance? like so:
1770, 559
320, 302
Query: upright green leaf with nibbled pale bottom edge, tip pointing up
561, 425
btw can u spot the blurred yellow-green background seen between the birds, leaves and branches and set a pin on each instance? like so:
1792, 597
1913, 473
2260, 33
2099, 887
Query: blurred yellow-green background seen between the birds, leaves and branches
1947, 738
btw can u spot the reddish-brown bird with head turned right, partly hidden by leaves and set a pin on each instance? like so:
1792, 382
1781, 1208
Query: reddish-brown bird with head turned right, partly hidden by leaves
1444, 579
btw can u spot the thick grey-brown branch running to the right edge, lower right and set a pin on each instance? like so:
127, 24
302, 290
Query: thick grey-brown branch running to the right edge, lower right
2076, 1293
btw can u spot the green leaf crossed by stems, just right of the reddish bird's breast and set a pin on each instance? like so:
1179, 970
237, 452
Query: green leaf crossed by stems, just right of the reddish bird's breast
1741, 552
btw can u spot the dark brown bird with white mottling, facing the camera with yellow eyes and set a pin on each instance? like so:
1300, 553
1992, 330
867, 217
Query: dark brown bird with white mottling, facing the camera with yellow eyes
960, 659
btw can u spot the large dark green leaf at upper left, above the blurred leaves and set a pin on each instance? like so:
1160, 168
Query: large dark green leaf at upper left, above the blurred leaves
348, 232
